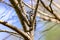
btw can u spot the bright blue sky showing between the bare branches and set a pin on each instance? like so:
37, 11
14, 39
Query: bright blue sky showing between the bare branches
8, 14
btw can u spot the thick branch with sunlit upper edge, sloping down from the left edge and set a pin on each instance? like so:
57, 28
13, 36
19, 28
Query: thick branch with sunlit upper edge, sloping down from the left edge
23, 34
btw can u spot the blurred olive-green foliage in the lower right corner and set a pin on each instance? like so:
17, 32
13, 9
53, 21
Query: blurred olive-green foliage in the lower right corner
54, 33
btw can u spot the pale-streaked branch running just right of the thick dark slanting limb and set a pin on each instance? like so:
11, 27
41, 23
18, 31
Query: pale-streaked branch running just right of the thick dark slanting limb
24, 14
